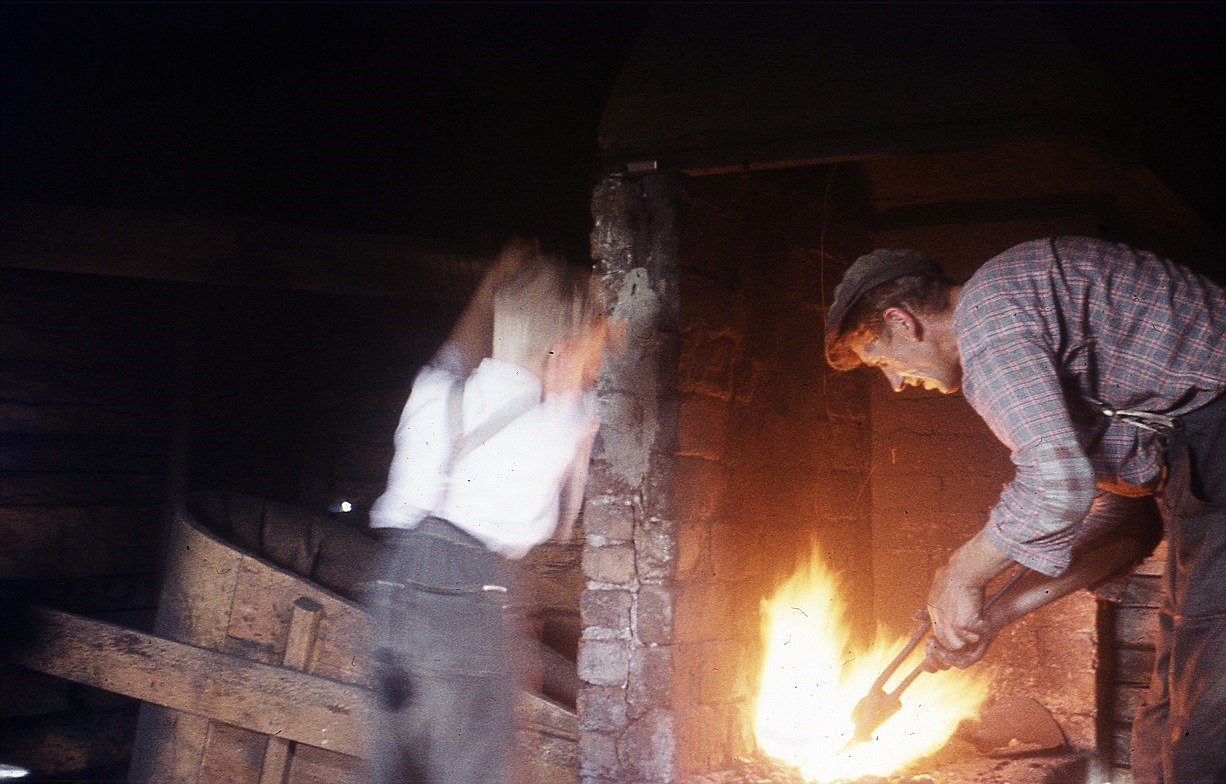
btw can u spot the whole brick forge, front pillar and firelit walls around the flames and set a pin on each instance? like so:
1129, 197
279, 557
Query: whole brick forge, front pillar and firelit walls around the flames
730, 448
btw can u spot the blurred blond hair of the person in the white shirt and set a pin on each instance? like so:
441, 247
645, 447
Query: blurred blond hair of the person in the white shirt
544, 304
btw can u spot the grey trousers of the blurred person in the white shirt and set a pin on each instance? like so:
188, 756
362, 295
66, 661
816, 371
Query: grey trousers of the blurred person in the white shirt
446, 712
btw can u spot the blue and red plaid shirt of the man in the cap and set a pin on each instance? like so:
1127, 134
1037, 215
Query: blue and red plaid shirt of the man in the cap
1050, 326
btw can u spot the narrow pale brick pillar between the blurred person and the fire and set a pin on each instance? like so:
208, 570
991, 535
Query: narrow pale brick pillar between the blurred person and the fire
627, 720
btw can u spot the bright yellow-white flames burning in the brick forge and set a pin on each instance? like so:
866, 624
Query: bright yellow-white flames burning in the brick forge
812, 682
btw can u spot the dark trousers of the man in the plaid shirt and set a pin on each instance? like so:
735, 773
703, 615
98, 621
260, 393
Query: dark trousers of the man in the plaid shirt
1180, 732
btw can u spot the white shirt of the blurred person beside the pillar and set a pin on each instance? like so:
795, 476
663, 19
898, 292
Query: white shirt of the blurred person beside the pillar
504, 493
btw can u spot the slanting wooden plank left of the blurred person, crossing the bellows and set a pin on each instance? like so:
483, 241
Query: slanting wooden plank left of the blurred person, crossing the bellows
264, 699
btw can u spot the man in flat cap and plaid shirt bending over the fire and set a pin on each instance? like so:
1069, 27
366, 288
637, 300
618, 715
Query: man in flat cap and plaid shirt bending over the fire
1103, 369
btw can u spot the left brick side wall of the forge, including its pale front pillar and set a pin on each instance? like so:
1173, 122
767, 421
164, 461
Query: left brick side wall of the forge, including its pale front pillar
728, 448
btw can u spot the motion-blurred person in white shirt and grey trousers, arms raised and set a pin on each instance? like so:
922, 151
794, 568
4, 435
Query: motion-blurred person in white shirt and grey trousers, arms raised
491, 459
